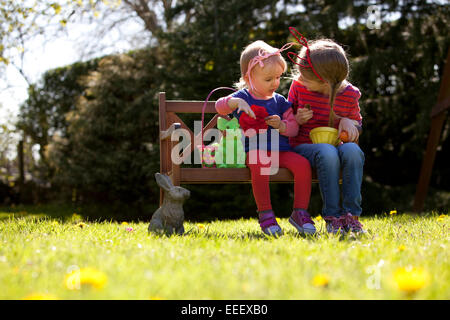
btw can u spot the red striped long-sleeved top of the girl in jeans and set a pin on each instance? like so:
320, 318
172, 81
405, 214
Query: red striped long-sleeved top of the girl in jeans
346, 105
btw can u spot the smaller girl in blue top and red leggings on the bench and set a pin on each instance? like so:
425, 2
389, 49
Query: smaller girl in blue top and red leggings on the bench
261, 69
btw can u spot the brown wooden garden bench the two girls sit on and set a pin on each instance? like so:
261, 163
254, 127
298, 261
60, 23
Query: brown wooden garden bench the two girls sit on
169, 121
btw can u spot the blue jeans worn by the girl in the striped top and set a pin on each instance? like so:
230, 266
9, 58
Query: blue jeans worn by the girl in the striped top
328, 161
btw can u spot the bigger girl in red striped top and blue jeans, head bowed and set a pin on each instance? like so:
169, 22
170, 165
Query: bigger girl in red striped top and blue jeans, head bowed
321, 81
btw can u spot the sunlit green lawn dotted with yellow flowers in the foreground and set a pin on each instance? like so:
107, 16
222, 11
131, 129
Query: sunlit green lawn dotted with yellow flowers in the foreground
221, 259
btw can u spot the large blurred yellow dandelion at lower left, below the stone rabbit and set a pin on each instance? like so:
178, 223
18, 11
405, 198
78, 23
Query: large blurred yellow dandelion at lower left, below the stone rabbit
80, 278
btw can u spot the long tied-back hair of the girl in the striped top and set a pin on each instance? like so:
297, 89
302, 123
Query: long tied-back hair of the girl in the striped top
330, 62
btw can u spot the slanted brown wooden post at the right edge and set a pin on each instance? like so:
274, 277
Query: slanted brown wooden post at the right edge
438, 116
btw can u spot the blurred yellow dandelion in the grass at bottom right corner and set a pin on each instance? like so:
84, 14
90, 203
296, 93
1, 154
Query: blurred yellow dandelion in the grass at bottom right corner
410, 280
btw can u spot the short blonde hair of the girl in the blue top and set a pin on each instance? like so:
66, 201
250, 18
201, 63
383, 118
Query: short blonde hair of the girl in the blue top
251, 51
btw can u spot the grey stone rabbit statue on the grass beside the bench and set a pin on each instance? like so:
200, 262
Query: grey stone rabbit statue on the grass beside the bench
170, 216
